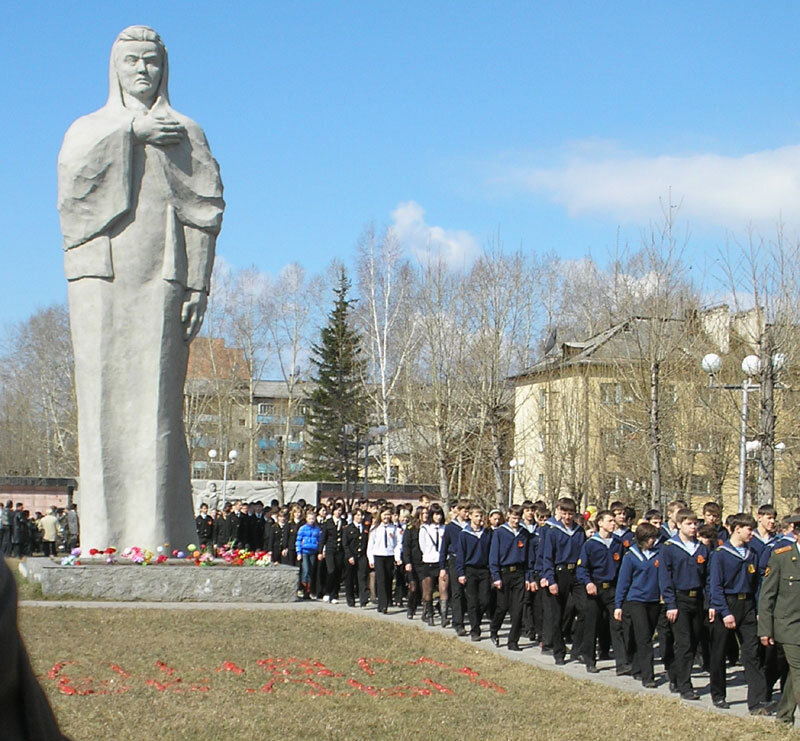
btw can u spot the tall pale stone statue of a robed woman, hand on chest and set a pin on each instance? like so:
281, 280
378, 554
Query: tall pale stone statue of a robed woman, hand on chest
140, 200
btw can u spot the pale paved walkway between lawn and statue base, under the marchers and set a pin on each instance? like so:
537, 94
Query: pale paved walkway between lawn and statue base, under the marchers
530, 654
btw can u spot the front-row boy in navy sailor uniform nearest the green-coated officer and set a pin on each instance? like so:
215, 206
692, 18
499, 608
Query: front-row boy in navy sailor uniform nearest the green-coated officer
733, 583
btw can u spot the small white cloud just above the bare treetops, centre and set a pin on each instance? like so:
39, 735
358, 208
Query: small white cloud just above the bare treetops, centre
455, 247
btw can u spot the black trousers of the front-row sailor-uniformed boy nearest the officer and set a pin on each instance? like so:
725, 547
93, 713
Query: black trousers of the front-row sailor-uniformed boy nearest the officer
743, 610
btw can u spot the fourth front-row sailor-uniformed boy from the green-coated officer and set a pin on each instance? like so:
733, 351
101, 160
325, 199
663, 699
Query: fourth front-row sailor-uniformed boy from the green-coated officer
598, 564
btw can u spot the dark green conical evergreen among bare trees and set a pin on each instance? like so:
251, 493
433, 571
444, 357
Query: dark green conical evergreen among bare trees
337, 406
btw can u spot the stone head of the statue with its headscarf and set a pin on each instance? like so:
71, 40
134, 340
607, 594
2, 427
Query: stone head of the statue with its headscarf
139, 65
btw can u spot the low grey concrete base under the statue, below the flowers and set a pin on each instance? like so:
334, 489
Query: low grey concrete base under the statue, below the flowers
163, 582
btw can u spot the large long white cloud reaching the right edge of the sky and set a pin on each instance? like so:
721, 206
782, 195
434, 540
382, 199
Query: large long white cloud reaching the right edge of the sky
758, 188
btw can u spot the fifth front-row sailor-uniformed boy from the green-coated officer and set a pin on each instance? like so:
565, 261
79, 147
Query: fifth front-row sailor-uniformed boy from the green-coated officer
561, 549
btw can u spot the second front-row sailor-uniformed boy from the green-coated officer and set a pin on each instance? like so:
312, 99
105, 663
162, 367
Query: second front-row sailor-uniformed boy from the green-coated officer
682, 564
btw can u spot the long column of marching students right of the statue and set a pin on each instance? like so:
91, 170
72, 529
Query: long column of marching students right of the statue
578, 586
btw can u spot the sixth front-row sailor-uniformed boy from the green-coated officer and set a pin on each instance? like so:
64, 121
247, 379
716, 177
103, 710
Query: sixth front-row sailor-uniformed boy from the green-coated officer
511, 567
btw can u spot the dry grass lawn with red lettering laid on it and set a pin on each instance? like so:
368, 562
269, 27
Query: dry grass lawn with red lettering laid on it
160, 674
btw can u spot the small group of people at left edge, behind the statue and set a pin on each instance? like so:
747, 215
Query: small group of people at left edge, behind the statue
55, 531
